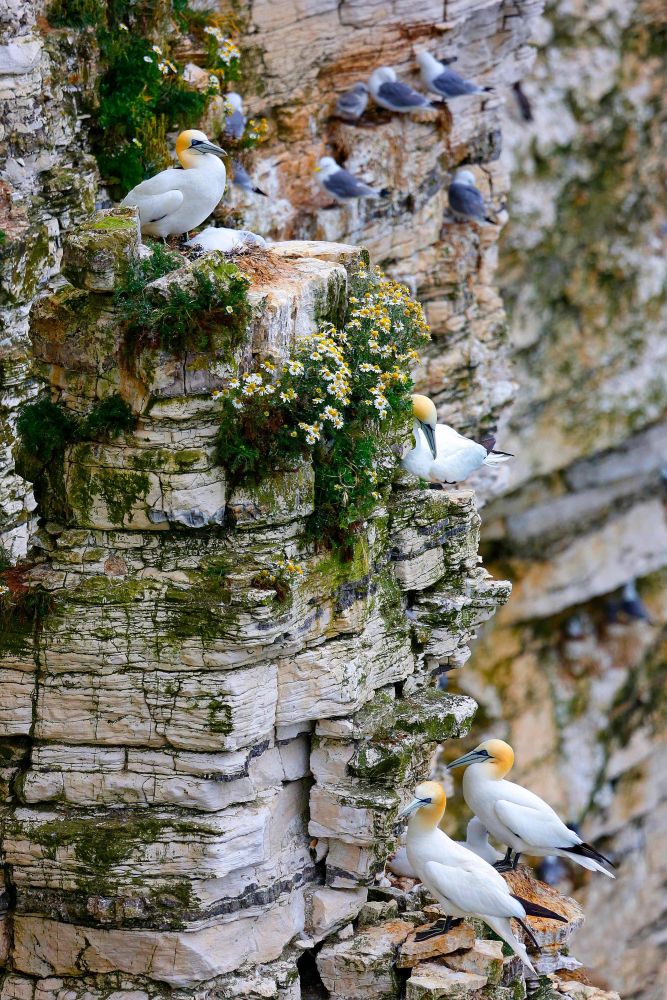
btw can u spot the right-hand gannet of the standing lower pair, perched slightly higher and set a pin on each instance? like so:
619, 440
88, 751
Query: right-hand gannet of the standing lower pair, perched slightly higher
515, 816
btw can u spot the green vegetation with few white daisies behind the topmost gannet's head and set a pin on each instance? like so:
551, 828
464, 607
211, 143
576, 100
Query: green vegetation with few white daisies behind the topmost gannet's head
141, 93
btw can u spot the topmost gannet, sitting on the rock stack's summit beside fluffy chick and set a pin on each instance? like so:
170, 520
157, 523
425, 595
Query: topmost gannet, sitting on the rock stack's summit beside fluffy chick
176, 201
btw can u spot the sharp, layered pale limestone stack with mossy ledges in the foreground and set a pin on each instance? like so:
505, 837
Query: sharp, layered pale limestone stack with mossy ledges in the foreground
202, 773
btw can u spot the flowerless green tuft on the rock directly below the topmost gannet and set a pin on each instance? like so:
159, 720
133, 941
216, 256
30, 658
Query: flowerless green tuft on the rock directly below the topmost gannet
208, 312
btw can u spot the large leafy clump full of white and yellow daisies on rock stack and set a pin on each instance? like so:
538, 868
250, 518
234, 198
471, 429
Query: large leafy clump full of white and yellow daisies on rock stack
338, 399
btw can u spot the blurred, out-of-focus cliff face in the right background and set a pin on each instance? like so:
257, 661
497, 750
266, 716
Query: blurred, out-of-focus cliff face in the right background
584, 271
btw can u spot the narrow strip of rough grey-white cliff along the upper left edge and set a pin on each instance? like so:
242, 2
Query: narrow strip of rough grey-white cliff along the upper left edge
47, 182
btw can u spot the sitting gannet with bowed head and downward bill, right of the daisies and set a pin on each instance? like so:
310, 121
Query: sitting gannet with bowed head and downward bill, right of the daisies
441, 454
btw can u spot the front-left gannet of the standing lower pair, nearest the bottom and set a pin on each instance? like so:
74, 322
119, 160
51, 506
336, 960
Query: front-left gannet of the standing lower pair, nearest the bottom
464, 884
